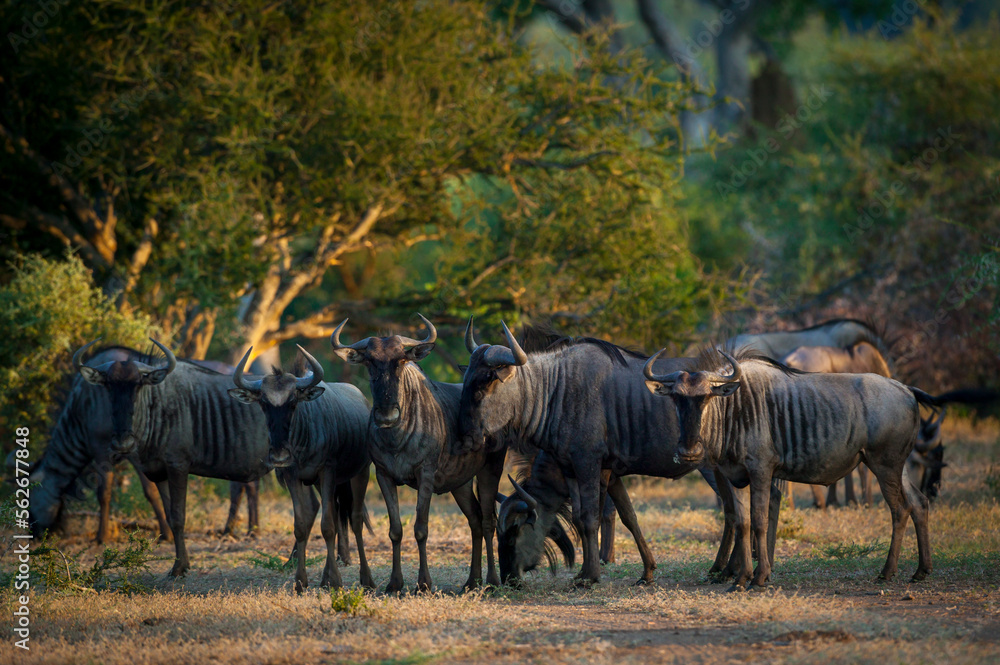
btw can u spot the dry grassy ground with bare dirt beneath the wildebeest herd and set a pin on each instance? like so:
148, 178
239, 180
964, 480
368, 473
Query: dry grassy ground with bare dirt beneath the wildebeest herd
824, 605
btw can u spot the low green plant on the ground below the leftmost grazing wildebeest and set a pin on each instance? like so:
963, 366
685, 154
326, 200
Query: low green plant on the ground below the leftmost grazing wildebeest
116, 569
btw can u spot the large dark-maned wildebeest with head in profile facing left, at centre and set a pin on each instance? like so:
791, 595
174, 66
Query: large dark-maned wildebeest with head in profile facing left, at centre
584, 405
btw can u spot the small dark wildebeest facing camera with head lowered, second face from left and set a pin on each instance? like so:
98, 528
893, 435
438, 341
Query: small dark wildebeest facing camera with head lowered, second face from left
320, 430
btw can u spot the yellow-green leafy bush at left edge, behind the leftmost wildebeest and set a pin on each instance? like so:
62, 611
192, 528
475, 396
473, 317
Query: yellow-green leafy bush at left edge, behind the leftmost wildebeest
47, 311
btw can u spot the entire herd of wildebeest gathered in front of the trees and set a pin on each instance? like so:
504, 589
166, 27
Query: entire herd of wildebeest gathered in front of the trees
806, 406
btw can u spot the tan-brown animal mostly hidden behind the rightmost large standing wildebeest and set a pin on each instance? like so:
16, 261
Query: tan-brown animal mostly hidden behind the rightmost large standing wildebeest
860, 358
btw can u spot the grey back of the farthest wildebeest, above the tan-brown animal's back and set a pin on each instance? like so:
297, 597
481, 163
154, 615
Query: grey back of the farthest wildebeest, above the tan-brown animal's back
839, 333
